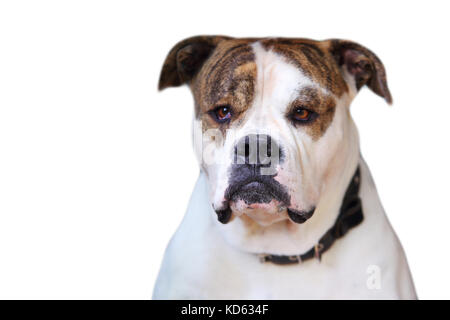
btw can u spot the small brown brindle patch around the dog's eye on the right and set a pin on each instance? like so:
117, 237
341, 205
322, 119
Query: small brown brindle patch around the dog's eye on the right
315, 100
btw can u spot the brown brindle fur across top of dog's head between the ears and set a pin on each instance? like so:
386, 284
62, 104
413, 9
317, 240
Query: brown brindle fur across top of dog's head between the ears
229, 75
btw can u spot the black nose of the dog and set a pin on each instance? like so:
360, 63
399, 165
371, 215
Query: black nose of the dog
258, 150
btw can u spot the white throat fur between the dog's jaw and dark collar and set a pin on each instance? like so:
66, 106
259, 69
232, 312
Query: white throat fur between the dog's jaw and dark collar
286, 237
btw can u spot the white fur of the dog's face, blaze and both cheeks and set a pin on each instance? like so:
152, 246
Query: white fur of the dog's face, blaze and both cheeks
305, 170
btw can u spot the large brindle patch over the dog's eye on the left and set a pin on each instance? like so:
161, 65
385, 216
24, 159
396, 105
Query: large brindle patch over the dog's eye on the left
227, 78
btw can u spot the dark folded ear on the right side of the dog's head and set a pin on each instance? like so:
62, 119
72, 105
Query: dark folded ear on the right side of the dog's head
361, 63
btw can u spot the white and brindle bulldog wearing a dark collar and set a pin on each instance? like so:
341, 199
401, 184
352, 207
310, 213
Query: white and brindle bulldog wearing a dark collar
285, 206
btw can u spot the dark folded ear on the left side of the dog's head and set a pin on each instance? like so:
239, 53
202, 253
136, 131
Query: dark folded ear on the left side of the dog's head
185, 59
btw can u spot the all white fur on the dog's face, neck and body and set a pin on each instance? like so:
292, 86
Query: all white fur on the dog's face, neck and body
206, 259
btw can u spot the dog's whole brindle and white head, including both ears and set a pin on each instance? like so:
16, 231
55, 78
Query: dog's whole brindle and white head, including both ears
272, 121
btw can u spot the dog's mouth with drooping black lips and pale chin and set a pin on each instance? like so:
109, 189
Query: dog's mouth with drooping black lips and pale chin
262, 199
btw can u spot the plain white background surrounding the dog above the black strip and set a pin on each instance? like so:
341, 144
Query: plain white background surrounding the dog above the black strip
96, 166
